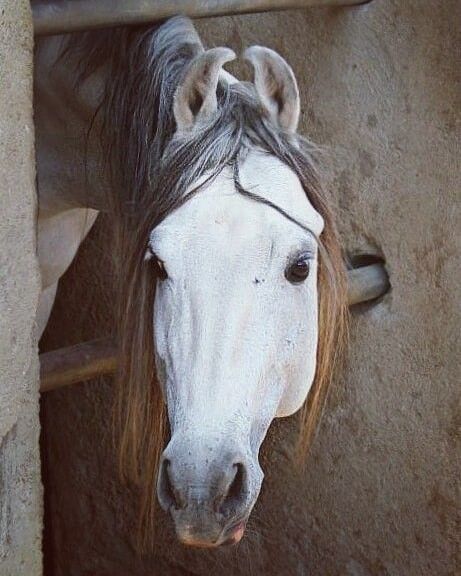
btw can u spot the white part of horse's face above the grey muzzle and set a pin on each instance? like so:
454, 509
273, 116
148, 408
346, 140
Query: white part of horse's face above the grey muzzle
237, 340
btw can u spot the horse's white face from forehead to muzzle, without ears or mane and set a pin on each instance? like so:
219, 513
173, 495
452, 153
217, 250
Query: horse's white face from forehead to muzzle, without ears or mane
235, 325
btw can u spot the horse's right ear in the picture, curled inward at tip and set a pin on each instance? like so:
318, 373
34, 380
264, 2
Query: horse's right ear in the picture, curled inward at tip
276, 86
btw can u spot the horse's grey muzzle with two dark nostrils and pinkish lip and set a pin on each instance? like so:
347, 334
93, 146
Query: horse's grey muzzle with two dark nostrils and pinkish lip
209, 498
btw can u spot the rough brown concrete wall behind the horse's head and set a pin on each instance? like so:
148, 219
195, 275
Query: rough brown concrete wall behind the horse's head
381, 494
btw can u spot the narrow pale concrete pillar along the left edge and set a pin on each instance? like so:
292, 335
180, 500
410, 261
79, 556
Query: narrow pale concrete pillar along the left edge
20, 486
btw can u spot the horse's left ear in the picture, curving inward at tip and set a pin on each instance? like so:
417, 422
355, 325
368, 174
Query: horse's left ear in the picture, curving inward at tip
195, 98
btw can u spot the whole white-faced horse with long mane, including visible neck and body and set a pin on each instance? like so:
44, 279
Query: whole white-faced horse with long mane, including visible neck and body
232, 294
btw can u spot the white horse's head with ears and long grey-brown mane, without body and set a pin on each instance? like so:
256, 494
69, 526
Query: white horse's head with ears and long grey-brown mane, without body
233, 258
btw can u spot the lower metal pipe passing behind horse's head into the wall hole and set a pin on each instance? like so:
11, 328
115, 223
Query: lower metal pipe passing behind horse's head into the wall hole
90, 359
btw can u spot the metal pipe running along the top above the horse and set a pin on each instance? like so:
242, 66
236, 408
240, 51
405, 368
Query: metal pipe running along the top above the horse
63, 16
